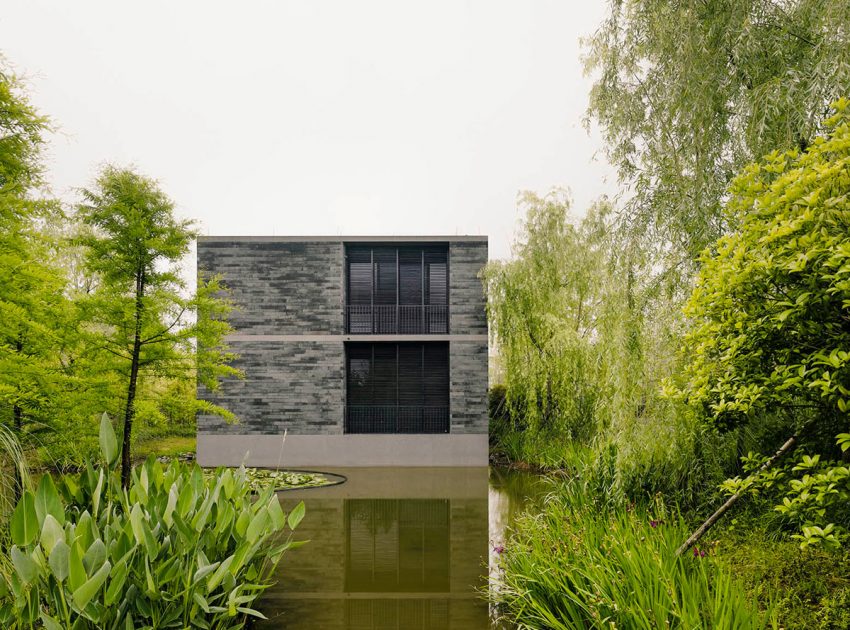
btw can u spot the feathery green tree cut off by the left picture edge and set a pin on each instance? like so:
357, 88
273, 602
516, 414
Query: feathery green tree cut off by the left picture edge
31, 287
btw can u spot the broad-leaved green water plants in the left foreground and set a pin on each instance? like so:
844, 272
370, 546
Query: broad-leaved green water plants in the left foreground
173, 550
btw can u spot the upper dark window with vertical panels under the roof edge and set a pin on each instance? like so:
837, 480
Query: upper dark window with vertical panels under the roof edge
397, 289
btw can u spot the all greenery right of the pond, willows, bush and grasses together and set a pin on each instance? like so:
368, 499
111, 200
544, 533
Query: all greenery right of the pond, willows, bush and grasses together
662, 348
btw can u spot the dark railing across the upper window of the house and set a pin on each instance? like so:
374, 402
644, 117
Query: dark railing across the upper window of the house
397, 319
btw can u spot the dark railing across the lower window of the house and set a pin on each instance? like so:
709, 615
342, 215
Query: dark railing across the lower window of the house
396, 419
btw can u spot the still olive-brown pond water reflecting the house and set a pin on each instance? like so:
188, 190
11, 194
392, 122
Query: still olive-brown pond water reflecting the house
397, 549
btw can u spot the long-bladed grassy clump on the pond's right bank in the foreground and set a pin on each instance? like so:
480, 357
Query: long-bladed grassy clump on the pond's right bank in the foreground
586, 563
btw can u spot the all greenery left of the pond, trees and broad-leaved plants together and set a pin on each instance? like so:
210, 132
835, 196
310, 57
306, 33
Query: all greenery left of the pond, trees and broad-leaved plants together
95, 317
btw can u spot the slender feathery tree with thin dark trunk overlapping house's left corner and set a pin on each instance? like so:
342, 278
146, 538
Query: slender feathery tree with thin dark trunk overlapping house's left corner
139, 309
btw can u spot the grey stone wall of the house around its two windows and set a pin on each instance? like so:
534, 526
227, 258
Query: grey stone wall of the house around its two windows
290, 338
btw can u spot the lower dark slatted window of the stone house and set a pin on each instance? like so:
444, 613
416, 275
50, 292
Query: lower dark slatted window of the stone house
397, 387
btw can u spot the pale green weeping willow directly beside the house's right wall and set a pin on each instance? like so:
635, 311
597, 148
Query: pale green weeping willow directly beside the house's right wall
548, 307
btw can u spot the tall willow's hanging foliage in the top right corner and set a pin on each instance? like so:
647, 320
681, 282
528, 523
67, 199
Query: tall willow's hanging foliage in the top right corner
689, 91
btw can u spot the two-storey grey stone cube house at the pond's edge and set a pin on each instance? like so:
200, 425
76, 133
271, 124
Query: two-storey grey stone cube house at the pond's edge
363, 351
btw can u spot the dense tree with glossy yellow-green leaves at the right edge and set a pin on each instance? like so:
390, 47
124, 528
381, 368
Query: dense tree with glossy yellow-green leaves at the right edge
771, 321
